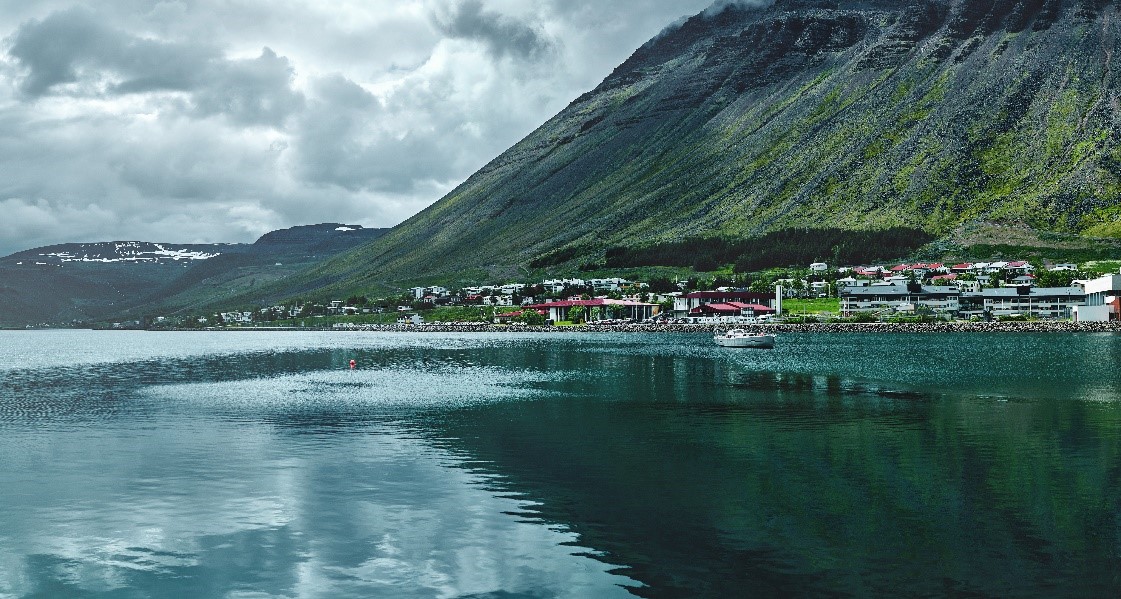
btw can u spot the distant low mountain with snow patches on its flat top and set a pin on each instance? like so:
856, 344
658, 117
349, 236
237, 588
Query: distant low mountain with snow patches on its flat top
89, 282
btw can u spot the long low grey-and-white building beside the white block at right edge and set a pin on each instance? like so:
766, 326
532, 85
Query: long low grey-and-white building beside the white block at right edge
1040, 302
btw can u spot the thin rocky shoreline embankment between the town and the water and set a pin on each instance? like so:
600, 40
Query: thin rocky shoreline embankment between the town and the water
1035, 327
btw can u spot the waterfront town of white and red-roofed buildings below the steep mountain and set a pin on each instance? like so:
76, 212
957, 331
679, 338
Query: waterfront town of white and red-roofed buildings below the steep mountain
921, 292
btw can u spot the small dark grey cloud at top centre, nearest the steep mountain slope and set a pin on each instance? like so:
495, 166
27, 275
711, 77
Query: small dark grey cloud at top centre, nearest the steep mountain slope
503, 35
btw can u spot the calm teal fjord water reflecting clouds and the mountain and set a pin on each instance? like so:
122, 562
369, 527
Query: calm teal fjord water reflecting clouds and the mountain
258, 465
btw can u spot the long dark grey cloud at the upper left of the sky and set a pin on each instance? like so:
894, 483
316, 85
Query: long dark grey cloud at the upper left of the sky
72, 48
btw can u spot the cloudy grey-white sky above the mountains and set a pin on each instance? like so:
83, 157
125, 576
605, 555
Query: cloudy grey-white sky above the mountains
220, 121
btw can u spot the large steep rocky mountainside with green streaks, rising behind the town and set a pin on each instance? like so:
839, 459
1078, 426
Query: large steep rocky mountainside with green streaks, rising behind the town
924, 117
